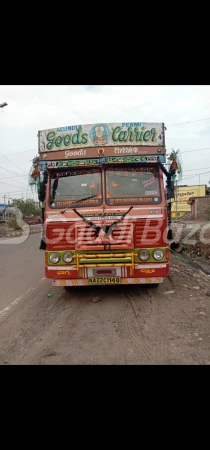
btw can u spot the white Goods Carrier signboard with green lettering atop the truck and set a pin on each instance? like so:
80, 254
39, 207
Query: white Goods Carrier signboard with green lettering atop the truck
78, 136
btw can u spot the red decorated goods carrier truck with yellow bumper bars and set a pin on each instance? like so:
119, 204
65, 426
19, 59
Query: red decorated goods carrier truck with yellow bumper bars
106, 210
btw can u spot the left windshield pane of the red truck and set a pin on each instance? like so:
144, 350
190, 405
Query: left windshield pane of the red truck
67, 187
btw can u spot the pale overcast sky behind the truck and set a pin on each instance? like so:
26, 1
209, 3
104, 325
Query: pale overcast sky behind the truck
34, 108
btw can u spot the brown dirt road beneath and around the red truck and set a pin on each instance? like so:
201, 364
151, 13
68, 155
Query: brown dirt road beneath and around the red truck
129, 325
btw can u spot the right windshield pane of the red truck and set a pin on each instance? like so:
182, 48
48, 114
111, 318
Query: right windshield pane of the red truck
132, 185
